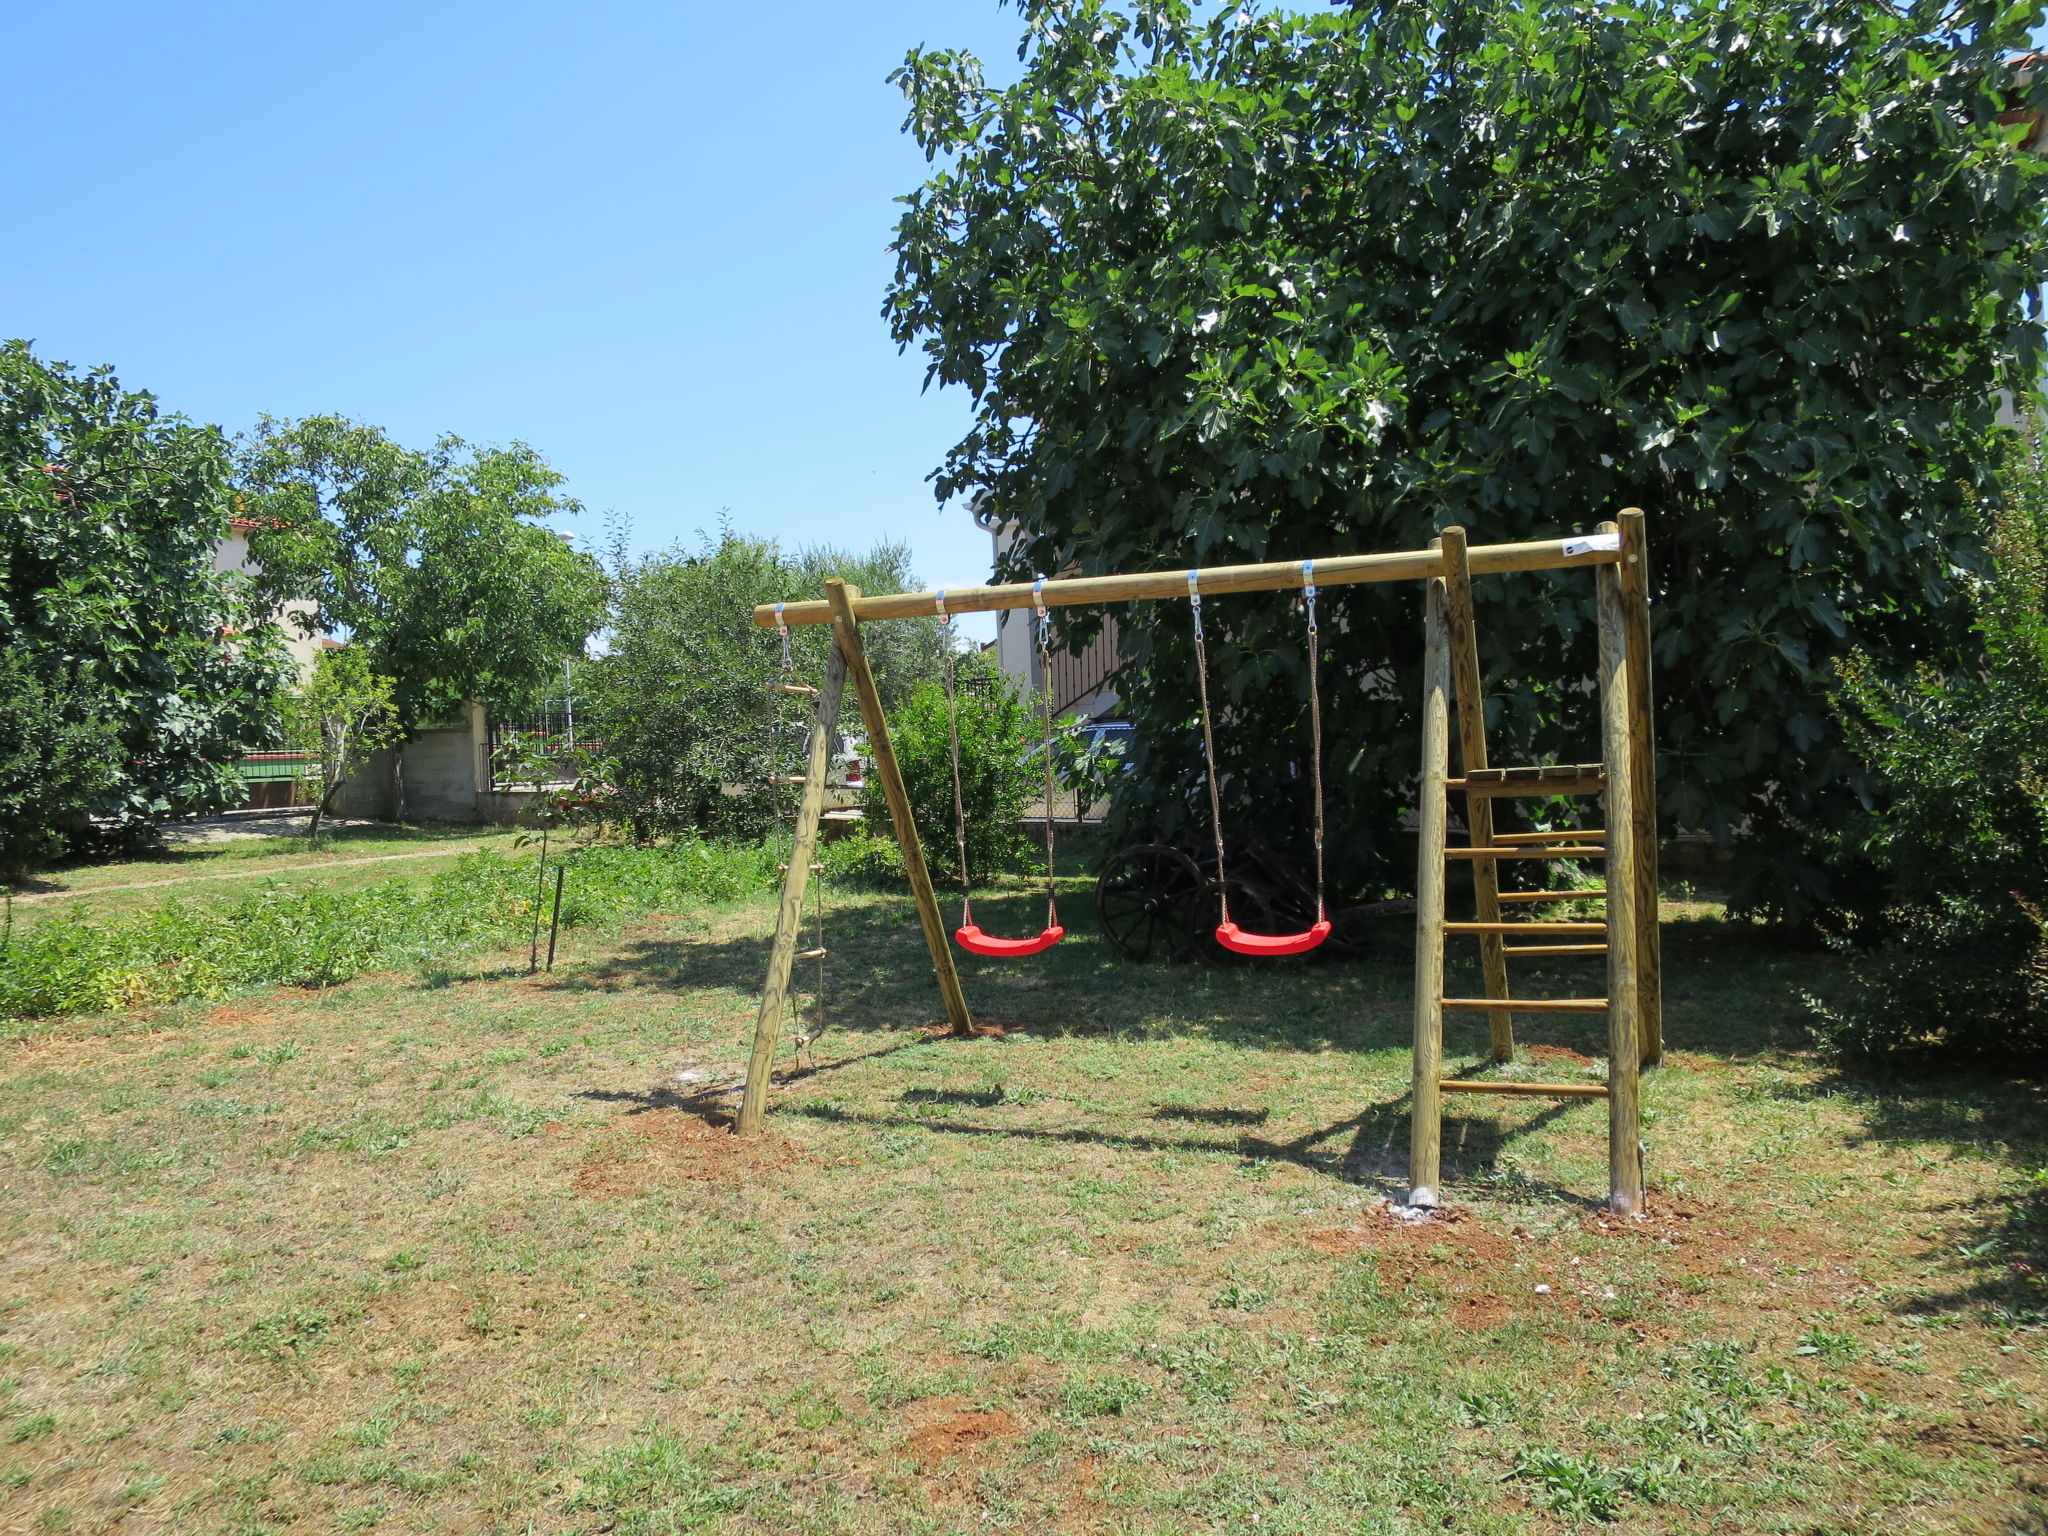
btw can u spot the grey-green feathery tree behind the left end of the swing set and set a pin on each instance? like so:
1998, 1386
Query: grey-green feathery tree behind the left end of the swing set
683, 691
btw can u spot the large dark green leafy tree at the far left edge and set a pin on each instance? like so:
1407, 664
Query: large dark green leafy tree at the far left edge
112, 613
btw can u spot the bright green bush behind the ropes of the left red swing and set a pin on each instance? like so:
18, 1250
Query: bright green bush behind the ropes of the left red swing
1000, 775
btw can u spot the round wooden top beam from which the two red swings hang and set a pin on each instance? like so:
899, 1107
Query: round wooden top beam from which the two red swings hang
1273, 577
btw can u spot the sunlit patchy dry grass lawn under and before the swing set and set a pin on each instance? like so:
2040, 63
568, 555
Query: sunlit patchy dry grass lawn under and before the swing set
472, 1254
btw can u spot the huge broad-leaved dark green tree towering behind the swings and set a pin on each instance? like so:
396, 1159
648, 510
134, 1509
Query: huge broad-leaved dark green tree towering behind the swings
1273, 286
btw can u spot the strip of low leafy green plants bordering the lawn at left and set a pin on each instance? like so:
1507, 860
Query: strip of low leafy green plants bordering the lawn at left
318, 939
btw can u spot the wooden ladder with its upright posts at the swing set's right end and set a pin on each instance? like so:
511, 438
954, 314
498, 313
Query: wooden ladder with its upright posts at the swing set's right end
1627, 847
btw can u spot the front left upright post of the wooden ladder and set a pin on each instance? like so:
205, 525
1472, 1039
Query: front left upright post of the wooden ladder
1426, 1101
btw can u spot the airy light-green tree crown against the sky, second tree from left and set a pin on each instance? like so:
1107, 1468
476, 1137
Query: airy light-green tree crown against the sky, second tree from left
435, 564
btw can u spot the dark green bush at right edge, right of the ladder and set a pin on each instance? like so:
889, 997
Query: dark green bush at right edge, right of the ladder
1955, 966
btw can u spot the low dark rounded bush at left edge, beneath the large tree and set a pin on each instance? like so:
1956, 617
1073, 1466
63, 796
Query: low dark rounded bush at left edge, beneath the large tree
56, 757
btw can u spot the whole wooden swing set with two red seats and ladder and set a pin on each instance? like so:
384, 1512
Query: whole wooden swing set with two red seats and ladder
1623, 779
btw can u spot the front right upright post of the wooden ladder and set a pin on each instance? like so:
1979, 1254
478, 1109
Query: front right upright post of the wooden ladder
1625, 1039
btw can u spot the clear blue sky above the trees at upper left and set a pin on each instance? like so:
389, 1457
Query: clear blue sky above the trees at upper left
646, 239
